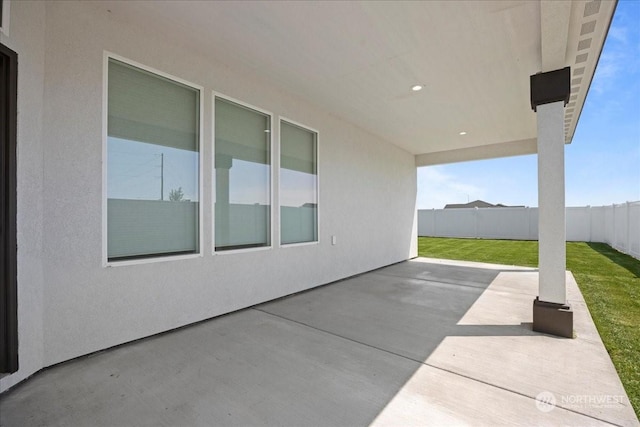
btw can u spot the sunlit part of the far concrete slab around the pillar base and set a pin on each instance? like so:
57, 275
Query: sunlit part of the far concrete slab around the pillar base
553, 364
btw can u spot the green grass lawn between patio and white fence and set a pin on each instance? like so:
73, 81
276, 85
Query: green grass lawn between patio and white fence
608, 279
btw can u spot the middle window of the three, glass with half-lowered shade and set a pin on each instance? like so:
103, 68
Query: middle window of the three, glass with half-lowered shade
242, 177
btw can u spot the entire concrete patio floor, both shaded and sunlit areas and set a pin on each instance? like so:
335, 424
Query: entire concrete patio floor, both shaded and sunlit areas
421, 342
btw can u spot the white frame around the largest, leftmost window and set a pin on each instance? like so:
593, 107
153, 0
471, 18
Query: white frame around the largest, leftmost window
105, 113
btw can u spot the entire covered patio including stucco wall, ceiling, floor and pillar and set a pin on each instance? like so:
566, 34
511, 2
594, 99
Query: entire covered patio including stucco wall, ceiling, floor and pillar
334, 327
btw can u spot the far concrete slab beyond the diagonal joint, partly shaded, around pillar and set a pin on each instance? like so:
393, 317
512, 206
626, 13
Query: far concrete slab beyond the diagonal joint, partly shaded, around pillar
482, 332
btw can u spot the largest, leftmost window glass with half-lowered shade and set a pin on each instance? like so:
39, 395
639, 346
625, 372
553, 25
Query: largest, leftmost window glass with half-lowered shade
153, 164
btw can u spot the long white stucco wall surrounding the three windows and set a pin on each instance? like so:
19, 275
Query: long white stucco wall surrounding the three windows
367, 197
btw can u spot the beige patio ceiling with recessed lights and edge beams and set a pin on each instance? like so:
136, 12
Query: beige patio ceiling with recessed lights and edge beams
359, 60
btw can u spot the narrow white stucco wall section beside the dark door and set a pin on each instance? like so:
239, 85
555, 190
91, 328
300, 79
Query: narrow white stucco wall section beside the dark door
26, 38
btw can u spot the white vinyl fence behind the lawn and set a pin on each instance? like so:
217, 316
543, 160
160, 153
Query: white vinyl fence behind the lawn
616, 225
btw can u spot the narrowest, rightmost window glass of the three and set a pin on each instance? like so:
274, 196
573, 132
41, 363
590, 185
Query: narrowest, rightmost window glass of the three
298, 184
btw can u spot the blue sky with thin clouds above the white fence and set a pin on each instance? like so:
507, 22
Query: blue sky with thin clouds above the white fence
602, 162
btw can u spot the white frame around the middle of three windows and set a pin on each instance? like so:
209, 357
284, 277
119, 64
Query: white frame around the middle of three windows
272, 165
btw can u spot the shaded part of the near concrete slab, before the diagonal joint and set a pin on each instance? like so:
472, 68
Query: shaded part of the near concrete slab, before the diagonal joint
245, 369
